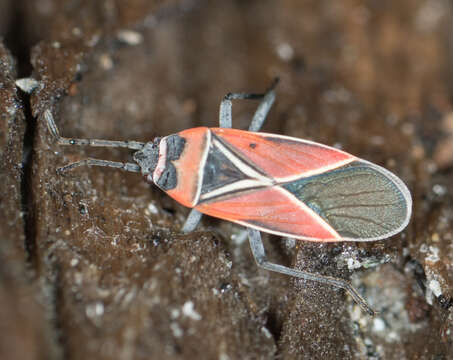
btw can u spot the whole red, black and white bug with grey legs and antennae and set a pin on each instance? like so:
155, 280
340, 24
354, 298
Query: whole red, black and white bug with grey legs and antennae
266, 182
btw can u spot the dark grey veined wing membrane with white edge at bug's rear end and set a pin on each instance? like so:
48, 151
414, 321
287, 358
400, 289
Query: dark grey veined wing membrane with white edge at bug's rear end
361, 201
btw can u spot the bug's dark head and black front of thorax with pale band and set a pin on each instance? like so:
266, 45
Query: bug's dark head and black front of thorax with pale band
155, 160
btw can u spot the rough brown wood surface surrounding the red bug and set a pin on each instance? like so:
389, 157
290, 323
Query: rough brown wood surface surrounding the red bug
92, 264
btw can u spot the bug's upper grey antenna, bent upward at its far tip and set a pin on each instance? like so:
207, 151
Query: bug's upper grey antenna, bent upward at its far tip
134, 145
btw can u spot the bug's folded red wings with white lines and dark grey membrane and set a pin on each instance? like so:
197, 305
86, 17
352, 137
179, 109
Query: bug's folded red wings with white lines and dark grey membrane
315, 193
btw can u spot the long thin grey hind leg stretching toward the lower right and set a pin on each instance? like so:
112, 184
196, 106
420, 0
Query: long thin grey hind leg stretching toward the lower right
259, 254
